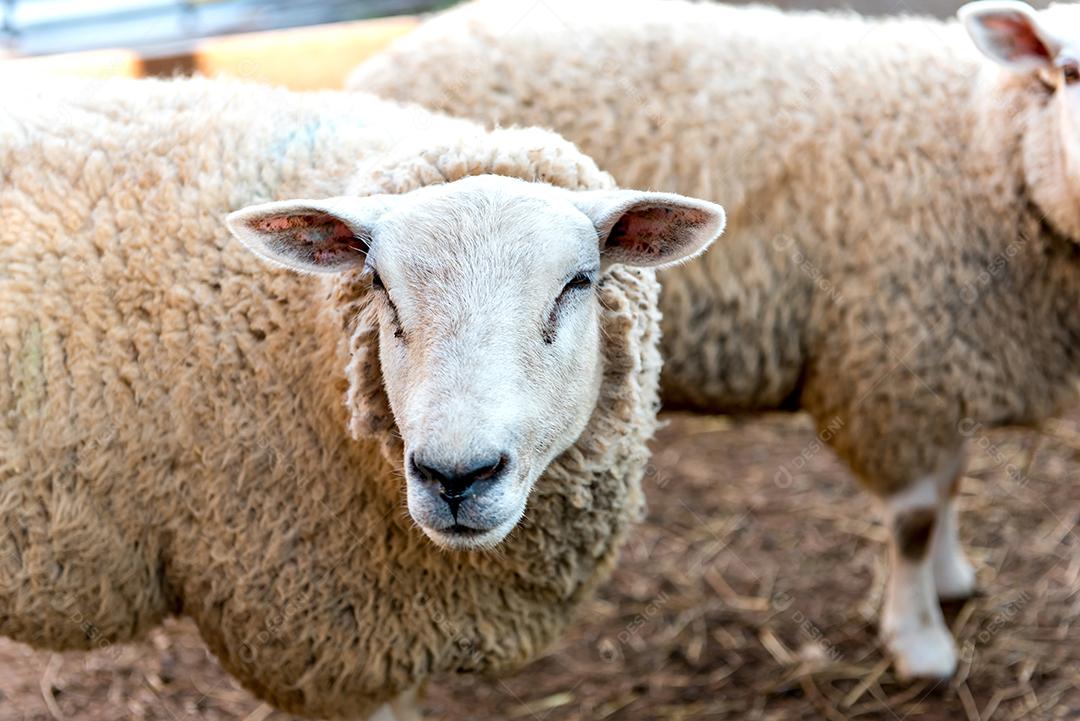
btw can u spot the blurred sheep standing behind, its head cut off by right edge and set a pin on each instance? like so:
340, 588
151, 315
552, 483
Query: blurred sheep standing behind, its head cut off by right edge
902, 257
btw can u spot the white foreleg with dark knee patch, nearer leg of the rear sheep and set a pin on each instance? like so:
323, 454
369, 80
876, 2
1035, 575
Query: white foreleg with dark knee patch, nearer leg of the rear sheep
913, 628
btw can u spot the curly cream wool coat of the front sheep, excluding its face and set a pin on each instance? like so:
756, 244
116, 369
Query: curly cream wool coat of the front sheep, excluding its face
175, 437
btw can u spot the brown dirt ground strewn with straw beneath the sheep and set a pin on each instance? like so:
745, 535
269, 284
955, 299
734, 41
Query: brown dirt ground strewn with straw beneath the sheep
750, 593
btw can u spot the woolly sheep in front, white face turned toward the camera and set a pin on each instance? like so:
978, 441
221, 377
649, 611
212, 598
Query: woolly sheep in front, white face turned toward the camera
465, 319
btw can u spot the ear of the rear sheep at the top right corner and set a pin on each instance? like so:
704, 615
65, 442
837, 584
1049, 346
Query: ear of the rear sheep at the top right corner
1009, 33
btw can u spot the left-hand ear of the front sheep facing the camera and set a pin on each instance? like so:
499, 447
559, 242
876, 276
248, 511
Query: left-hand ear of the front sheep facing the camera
313, 237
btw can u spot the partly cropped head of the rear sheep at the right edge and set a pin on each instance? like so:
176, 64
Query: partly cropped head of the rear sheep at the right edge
1044, 50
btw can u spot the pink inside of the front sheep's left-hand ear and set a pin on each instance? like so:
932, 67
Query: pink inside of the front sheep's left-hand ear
317, 239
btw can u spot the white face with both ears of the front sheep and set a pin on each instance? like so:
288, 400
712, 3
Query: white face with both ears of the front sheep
490, 344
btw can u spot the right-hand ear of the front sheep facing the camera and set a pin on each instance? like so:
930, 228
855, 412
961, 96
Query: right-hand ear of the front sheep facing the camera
650, 229
